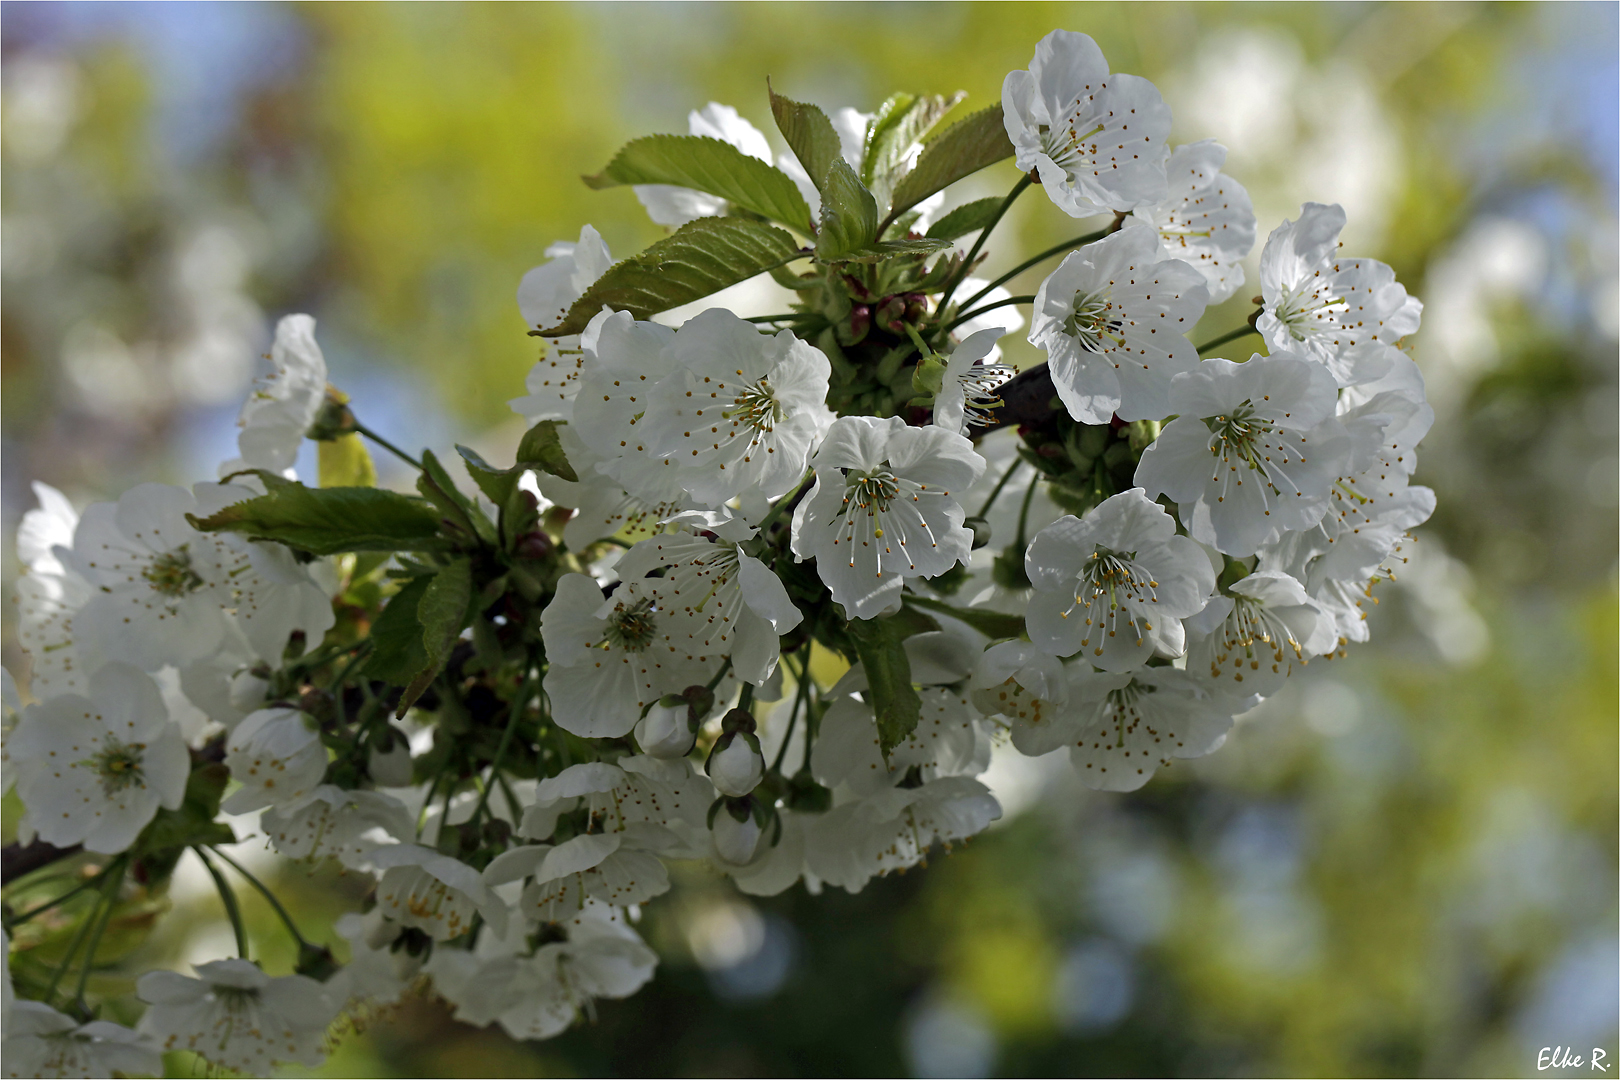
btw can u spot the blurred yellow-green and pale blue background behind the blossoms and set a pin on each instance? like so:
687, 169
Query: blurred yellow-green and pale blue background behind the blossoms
1402, 865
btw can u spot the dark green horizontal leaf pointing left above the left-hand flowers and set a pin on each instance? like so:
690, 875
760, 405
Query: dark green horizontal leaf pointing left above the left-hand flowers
331, 521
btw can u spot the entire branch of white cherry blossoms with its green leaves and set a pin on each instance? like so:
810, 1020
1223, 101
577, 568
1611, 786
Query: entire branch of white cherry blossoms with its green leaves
767, 593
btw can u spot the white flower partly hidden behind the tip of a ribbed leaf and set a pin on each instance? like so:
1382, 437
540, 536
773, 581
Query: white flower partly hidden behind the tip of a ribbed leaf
545, 297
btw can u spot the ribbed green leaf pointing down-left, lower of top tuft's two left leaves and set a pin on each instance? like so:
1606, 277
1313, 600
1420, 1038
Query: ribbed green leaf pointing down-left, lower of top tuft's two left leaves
697, 260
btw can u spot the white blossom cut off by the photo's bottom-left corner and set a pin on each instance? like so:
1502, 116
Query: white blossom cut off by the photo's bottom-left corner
41, 1042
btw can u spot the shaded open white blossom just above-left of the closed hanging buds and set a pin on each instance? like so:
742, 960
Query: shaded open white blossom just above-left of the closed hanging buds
612, 658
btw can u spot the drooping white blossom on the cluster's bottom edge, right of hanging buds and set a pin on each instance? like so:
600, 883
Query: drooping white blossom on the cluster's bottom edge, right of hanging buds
893, 830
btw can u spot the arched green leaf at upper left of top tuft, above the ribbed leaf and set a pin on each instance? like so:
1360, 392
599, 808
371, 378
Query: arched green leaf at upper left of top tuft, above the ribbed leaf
697, 161
